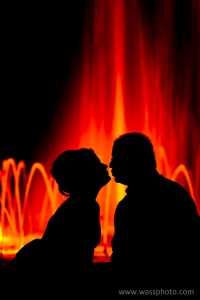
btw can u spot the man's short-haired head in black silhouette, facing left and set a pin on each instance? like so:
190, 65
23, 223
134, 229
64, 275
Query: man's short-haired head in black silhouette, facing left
133, 158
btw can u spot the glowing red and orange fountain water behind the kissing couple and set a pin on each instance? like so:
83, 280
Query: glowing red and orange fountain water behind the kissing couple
133, 76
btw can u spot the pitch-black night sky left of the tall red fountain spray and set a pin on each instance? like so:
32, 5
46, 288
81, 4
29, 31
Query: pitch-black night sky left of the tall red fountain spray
39, 44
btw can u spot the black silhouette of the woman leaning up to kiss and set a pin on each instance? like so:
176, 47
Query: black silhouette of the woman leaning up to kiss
72, 233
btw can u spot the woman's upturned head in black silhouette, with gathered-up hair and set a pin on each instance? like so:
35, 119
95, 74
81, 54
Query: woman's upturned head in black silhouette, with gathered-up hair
78, 170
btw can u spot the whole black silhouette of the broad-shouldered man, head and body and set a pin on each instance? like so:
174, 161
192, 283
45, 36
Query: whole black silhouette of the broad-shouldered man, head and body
156, 237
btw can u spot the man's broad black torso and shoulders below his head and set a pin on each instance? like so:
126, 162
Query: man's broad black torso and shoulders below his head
157, 229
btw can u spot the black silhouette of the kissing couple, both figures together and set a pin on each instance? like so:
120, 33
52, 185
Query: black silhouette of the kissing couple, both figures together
156, 228
